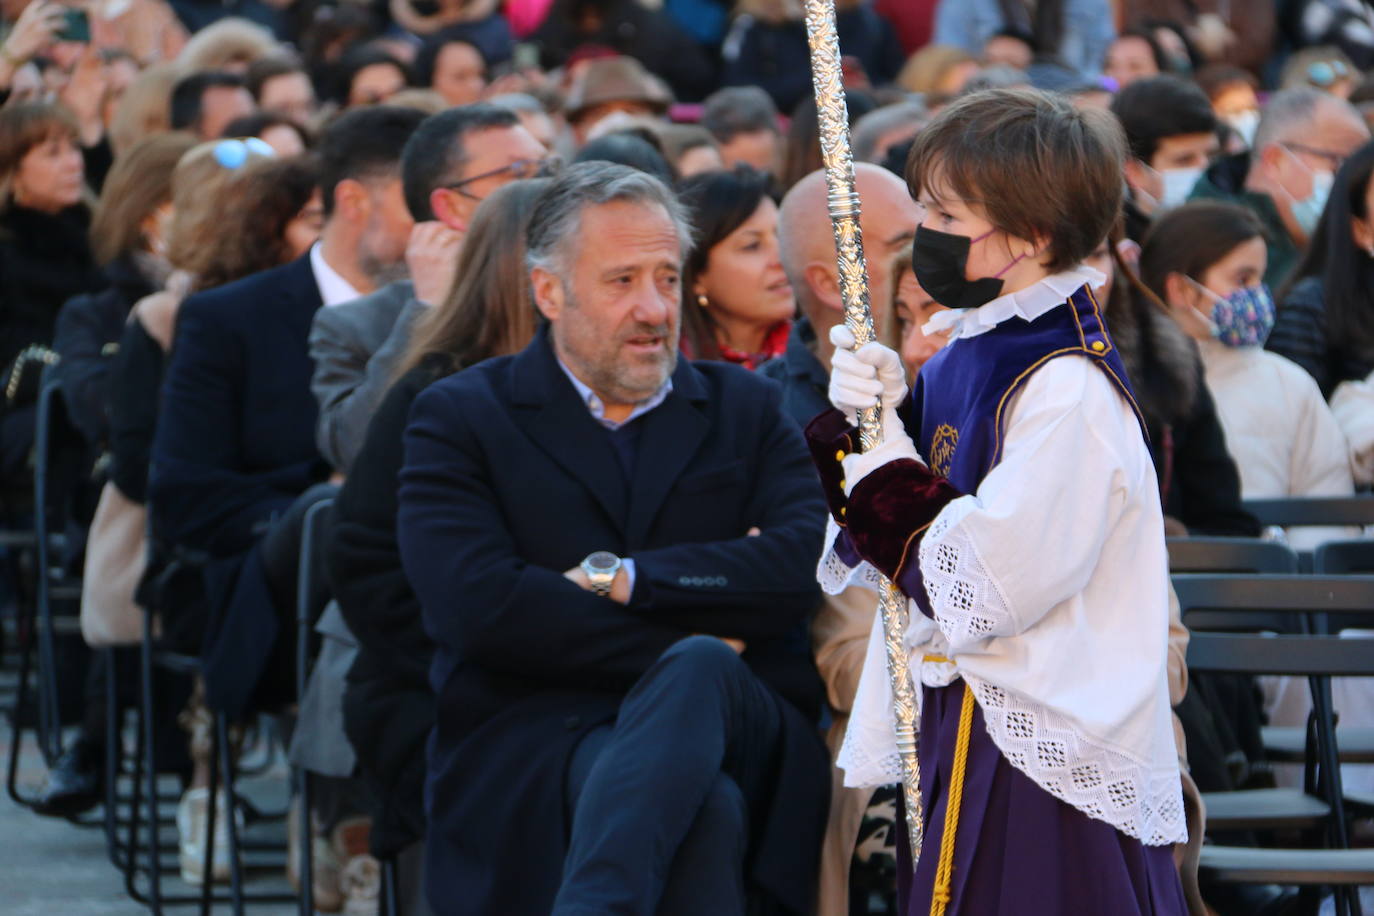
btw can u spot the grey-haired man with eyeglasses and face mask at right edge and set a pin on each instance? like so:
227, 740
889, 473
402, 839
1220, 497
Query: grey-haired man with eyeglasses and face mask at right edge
1303, 139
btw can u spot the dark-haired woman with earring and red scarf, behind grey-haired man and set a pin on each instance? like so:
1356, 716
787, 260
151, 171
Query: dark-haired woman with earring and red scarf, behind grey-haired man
737, 303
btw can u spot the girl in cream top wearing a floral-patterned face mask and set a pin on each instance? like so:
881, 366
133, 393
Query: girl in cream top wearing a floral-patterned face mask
1206, 263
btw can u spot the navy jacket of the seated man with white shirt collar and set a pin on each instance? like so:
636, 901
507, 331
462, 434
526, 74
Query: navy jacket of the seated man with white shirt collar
234, 450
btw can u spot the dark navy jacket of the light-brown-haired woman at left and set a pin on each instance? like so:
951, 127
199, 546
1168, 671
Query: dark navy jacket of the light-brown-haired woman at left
89, 334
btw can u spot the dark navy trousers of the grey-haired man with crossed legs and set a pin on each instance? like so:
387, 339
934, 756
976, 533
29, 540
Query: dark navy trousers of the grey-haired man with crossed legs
664, 797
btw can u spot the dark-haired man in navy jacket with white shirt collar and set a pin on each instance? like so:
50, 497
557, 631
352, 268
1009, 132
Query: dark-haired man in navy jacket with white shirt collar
236, 442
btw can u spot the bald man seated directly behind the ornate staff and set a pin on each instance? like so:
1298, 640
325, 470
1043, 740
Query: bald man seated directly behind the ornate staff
888, 220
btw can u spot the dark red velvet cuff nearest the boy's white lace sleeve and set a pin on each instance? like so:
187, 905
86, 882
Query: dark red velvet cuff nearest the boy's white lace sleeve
890, 512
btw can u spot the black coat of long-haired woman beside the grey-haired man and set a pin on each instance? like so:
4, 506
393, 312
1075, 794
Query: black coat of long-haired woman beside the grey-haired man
390, 704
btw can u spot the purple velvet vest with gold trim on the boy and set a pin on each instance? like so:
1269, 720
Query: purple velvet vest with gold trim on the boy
962, 393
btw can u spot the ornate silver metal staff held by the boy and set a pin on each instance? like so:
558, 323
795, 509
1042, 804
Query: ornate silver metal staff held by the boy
843, 198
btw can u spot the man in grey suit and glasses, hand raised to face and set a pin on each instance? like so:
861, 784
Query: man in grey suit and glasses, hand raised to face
450, 165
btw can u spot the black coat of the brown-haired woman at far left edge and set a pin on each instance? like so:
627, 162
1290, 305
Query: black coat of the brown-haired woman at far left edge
45, 262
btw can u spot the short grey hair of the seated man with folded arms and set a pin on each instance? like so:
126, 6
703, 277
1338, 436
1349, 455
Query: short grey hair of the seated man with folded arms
559, 214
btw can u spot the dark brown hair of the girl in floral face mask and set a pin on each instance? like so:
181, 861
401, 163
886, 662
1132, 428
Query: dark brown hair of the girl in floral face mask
1192, 238
